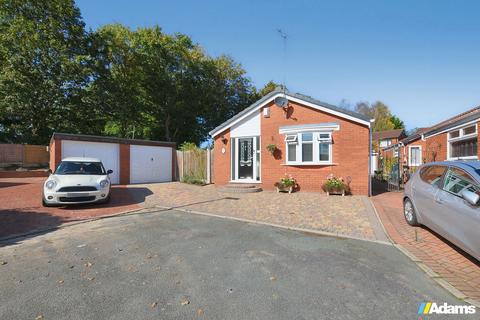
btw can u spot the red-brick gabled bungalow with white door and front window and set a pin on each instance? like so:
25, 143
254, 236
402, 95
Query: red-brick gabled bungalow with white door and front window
311, 140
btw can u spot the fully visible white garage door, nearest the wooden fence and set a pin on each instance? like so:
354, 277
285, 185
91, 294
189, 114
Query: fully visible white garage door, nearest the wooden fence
150, 164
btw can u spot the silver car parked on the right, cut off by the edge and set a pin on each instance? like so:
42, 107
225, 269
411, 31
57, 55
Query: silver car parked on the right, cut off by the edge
444, 196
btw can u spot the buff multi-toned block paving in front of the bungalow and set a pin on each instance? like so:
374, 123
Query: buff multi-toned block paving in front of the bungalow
351, 215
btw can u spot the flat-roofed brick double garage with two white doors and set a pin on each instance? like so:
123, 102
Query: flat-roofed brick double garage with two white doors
132, 160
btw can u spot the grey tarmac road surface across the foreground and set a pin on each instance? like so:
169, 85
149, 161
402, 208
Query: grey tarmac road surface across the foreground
175, 265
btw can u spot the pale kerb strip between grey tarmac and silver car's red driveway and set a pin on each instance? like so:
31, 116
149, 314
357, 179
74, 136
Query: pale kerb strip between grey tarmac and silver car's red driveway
432, 274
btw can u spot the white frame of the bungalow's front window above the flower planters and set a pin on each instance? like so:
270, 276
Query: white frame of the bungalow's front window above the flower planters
315, 147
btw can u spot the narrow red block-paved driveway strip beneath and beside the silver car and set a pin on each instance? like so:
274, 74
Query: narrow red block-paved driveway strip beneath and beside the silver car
451, 263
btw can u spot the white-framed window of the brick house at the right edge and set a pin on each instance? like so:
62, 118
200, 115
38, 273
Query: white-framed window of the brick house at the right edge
462, 143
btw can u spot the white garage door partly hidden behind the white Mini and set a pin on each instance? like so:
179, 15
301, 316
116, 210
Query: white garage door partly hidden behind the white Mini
107, 152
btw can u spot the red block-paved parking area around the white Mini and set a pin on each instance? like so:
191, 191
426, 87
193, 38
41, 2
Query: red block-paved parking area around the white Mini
21, 208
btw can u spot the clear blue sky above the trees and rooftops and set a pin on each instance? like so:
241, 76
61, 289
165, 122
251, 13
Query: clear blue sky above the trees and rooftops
421, 58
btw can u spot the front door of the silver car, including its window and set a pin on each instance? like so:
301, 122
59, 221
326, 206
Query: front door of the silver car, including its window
458, 220
